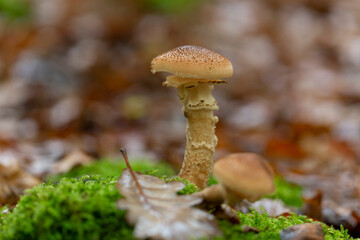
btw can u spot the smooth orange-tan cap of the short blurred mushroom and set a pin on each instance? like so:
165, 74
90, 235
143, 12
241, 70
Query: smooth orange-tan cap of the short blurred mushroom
245, 175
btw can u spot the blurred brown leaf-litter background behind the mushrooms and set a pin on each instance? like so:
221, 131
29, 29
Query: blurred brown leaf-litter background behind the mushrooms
75, 78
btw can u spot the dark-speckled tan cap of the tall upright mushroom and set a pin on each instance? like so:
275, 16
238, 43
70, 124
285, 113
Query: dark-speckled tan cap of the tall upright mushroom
193, 62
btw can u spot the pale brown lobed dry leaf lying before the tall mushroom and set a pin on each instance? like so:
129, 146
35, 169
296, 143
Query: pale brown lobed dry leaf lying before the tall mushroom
159, 213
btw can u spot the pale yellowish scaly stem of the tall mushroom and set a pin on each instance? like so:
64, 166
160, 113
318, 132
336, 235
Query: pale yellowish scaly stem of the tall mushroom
200, 132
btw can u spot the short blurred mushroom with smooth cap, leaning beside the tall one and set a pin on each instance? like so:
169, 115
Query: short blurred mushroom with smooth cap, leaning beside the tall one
241, 176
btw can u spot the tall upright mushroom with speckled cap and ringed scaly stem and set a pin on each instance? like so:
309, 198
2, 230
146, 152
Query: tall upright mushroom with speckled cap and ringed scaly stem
195, 70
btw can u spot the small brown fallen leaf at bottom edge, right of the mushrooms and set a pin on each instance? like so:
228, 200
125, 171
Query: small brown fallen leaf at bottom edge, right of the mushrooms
306, 231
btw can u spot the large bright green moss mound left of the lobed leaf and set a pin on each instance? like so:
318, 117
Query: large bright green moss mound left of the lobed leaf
83, 208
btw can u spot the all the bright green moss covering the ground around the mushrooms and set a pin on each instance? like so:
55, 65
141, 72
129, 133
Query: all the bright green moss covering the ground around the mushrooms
85, 208
